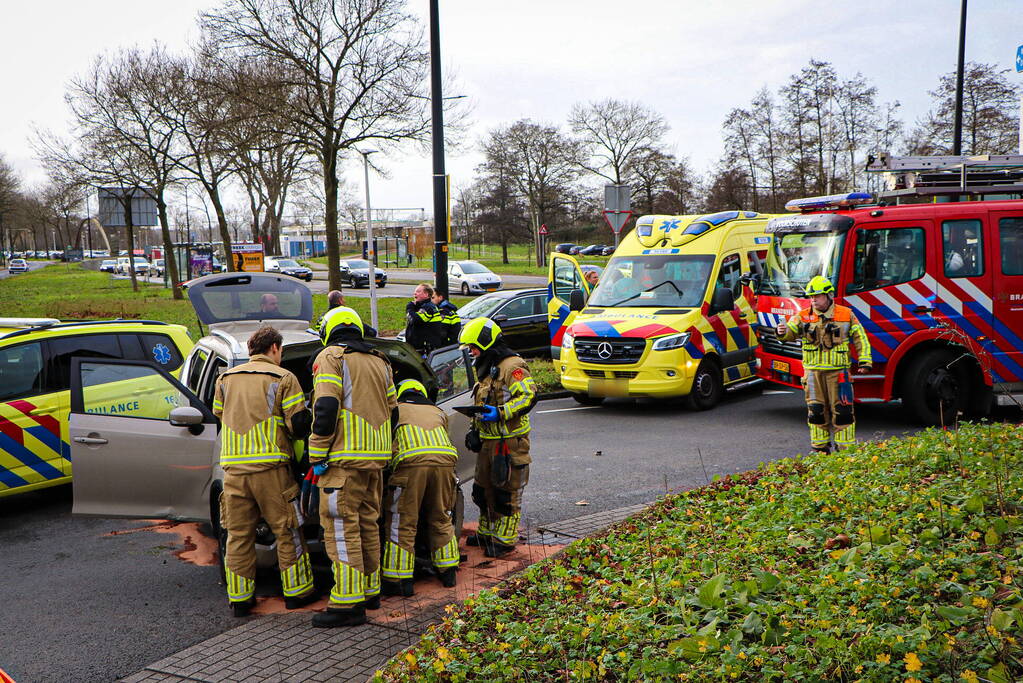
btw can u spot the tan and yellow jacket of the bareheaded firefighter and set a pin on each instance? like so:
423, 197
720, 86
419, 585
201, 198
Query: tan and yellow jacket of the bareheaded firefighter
262, 408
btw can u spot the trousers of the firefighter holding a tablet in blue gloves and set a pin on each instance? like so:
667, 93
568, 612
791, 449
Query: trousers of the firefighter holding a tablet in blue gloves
498, 490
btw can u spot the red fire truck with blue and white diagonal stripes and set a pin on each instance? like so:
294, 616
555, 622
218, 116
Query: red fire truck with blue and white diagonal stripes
933, 269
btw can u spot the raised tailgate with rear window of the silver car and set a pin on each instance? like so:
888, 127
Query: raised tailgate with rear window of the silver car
235, 298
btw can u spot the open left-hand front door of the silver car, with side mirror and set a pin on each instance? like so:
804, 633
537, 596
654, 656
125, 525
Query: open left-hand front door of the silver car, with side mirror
130, 462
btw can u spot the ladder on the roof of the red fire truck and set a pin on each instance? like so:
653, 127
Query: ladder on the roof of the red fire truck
949, 176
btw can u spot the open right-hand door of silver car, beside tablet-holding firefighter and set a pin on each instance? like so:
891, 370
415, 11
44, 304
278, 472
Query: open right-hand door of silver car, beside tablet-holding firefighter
454, 369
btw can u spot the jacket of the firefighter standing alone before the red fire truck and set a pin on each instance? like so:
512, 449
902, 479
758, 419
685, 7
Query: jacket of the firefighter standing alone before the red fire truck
826, 338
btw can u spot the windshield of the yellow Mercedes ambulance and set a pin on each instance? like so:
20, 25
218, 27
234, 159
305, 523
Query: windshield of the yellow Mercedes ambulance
654, 281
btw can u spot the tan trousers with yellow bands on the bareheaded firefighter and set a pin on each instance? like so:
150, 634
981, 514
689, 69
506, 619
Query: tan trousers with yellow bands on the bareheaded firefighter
273, 495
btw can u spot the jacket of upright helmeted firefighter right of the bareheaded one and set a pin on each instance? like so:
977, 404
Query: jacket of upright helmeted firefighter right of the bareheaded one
353, 397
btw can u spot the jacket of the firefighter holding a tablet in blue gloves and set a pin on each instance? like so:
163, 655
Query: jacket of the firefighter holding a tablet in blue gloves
510, 388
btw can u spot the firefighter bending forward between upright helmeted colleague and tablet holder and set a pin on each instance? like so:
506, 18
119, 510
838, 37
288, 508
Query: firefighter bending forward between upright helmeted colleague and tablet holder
422, 480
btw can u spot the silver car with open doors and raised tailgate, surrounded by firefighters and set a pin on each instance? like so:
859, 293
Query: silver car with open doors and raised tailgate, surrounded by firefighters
161, 459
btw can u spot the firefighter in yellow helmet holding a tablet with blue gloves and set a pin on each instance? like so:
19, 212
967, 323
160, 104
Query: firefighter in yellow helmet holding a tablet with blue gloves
507, 393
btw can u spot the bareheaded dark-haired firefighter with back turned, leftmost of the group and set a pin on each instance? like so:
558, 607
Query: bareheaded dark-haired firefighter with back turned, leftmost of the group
262, 409
